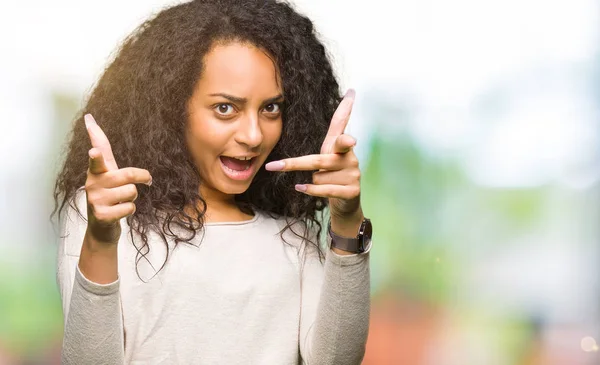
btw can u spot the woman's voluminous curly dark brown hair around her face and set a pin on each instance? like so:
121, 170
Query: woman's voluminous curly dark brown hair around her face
140, 103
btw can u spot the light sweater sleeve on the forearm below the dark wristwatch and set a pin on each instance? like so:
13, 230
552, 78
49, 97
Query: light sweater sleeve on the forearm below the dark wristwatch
335, 309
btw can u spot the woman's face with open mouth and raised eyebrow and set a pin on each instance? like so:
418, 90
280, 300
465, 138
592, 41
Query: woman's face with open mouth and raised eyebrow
234, 117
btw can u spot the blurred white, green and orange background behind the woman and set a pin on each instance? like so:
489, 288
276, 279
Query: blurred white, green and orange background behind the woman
478, 128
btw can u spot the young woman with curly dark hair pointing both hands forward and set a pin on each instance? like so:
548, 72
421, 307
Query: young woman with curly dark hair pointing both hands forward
195, 237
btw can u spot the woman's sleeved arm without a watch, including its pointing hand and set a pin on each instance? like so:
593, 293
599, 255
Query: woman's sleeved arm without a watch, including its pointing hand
89, 283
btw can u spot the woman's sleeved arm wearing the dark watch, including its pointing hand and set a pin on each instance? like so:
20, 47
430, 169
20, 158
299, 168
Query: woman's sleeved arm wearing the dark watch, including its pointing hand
334, 331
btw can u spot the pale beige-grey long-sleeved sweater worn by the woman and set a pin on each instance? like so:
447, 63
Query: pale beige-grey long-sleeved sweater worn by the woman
239, 296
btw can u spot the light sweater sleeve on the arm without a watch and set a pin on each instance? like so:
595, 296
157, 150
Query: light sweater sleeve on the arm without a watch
92, 312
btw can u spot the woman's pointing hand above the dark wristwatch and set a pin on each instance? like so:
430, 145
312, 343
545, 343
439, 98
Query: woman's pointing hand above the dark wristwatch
338, 174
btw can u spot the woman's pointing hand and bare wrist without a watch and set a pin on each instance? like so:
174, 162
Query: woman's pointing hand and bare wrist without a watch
110, 191
